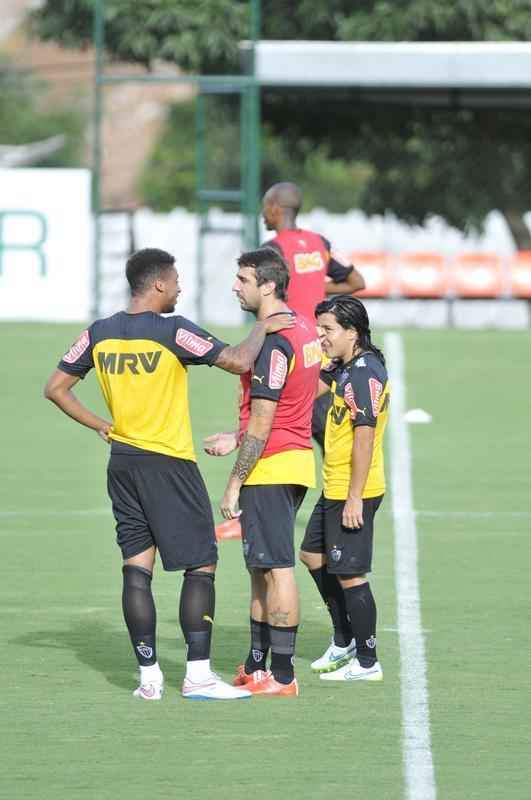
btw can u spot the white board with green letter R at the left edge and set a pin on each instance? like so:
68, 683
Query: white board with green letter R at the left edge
45, 244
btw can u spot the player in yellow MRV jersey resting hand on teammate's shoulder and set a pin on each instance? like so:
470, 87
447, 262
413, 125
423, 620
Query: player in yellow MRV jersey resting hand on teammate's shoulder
158, 496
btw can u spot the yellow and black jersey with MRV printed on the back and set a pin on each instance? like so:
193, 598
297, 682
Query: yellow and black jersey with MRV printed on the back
141, 363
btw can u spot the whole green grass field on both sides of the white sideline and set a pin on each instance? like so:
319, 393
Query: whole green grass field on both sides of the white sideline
71, 728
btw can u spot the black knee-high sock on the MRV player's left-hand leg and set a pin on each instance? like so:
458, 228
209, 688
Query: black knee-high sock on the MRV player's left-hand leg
139, 613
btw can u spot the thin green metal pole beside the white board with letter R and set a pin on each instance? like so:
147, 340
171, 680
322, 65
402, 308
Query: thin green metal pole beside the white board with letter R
99, 34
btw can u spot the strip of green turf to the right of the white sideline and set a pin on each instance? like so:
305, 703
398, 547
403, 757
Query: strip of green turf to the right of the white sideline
475, 457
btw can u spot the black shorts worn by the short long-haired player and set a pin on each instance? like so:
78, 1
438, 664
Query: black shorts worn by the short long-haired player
348, 550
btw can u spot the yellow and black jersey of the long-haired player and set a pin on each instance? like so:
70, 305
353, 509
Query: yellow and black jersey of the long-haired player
360, 396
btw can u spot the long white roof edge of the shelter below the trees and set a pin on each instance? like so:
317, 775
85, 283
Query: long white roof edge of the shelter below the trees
497, 66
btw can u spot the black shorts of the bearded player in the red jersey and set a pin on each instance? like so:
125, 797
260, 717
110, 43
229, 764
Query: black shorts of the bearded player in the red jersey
268, 523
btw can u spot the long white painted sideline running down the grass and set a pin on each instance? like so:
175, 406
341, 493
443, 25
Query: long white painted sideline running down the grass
419, 775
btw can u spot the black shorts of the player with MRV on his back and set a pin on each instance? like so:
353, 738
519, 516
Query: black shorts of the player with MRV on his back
162, 502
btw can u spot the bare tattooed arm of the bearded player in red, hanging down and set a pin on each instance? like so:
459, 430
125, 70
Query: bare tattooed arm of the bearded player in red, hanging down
251, 448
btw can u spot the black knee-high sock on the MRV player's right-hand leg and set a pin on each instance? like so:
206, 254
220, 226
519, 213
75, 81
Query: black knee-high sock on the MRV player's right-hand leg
196, 613
